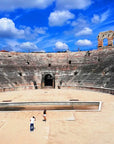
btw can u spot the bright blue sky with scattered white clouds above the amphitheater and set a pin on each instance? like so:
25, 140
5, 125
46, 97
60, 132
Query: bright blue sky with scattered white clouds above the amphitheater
53, 25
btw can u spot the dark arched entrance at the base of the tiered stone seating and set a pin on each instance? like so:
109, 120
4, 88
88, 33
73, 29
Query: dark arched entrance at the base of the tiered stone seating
48, 80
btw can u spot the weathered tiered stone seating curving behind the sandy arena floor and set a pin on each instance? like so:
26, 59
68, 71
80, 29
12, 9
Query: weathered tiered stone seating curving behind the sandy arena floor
32, 70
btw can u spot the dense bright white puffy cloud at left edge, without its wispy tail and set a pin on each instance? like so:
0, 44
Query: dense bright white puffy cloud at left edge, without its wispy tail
8, 29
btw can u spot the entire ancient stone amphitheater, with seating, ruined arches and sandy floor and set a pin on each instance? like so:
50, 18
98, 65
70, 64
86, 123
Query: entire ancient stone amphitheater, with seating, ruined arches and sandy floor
77, 88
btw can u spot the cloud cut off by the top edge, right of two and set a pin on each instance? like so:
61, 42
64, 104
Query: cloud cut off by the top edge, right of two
73, 4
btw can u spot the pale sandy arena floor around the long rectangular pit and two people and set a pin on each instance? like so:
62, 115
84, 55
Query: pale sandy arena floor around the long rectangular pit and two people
61, 127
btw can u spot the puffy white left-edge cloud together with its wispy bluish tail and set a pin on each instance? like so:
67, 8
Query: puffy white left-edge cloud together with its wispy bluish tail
9, 30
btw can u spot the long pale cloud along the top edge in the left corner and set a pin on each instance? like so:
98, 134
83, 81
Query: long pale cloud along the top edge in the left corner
7, 5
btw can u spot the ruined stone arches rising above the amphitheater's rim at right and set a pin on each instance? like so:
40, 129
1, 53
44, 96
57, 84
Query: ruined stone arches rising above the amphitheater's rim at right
105, 35
